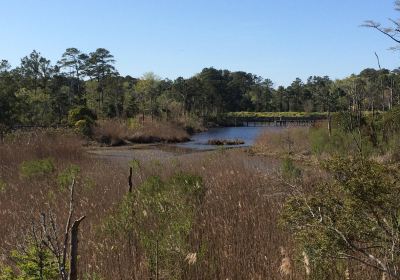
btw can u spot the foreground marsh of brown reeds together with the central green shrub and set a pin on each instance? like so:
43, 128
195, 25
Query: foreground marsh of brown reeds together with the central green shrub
195, 207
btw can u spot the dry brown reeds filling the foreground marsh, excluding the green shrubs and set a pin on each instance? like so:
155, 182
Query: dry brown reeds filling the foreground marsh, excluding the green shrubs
235, 234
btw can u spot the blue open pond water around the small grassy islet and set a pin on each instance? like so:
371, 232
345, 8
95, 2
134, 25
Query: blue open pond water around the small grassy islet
247, 134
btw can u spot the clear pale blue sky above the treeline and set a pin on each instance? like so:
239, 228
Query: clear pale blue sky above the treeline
277, 39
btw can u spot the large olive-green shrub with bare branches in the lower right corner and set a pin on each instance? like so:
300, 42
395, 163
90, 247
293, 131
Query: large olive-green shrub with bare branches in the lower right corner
354, 216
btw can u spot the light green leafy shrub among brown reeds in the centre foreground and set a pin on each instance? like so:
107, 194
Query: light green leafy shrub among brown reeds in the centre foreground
161, 213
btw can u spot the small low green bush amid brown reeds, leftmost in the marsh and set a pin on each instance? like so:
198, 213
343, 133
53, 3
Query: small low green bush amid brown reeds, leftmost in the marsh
36, 168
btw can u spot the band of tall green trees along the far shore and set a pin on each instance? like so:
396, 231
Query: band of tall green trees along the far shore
38, 92
